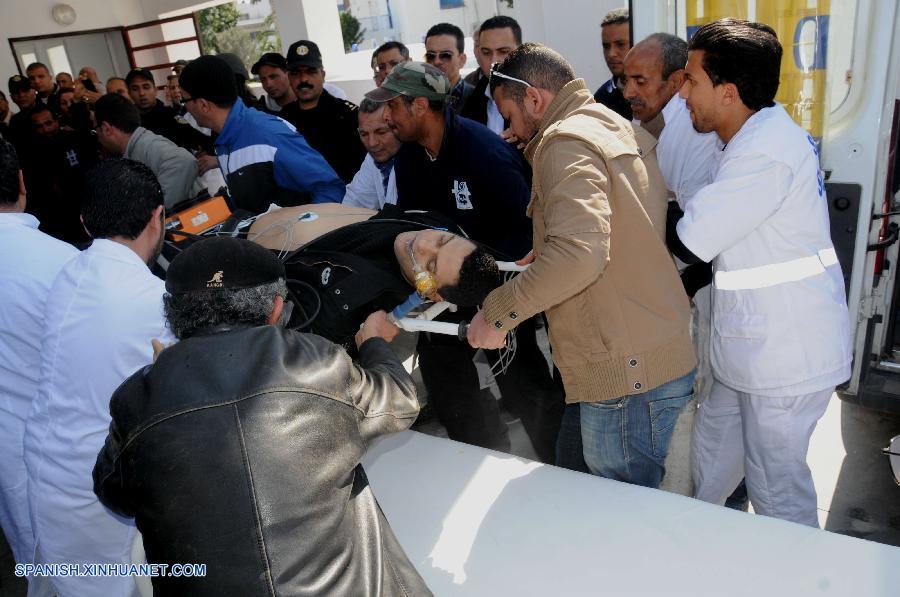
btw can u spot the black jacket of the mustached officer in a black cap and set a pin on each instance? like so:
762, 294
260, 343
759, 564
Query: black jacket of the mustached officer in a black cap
331, 128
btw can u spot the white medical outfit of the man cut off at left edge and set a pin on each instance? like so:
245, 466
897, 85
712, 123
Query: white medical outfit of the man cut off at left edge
31, 260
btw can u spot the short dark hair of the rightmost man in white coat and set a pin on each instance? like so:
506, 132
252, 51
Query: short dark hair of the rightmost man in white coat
746, 54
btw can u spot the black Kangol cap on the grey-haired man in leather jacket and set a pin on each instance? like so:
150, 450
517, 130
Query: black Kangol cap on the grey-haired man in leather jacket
223, 263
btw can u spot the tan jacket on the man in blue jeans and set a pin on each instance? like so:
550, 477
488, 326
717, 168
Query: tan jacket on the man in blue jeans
617, 311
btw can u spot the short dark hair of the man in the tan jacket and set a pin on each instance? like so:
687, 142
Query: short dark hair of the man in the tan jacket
538, 64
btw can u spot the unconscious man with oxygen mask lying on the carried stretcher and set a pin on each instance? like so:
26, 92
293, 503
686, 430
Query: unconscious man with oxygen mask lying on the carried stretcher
360, 260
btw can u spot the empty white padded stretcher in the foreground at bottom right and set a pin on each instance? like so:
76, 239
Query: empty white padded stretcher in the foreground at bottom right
479, 523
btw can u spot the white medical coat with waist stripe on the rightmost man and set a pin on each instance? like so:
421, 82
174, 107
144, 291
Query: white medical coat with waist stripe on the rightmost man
780, 319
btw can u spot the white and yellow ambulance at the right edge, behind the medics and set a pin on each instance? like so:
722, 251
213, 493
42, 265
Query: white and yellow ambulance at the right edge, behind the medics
840, 80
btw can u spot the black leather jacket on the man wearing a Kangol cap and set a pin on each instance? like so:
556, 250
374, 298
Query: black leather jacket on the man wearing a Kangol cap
240, 450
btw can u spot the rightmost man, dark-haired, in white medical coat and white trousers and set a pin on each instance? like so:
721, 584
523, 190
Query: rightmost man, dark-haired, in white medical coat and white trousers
780, 335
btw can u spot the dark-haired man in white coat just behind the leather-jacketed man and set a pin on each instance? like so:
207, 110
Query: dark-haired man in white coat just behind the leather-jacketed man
103, 311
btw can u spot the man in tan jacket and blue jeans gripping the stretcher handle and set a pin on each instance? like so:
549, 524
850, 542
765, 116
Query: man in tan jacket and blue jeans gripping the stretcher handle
618, 316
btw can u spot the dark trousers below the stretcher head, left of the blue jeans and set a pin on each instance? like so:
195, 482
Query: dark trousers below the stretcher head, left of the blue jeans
472, 415
